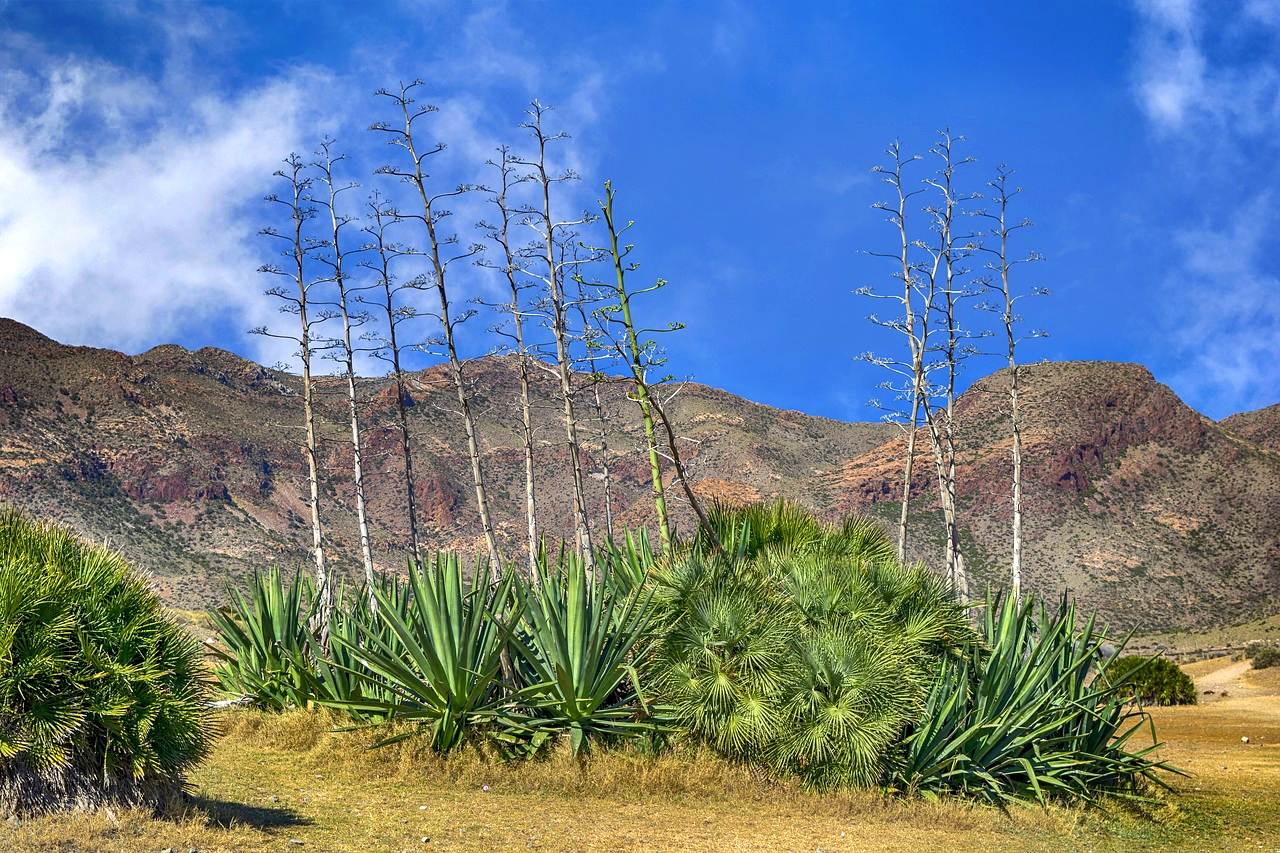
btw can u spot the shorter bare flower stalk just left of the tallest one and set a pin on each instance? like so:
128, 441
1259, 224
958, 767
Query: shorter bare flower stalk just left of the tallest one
390, 290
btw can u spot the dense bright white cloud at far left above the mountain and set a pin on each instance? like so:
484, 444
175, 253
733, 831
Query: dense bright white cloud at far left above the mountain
131, 206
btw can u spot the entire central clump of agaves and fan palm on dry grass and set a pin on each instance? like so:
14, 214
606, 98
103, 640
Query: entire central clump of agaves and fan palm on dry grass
804, 650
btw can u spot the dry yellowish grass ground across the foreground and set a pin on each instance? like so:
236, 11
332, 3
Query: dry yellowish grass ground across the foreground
287, 783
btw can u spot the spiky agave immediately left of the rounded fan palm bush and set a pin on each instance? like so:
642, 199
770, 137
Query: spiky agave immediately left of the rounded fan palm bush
578, 642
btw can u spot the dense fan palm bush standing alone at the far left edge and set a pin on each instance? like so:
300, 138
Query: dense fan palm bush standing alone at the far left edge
103, 697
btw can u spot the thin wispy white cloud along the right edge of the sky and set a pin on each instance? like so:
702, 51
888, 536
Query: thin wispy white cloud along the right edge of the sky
1208, 79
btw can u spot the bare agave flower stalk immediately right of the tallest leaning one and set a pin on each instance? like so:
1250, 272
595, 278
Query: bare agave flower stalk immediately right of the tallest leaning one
509, 264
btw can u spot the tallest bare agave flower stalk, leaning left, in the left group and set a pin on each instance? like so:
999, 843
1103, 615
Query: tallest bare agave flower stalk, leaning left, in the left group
441, 254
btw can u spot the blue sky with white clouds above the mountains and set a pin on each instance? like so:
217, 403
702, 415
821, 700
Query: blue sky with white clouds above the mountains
138, 139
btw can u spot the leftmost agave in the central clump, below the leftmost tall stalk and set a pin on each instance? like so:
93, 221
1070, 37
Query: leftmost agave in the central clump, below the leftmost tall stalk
266, 645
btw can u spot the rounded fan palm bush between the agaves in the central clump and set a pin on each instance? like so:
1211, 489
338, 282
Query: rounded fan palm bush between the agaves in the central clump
797, 646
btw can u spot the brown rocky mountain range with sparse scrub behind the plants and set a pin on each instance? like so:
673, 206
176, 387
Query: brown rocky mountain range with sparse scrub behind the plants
189, 463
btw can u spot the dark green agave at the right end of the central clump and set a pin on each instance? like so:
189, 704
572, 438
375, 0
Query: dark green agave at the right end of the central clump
1034, 715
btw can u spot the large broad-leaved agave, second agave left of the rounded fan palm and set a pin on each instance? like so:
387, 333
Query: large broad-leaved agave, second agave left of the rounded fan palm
437, 656
